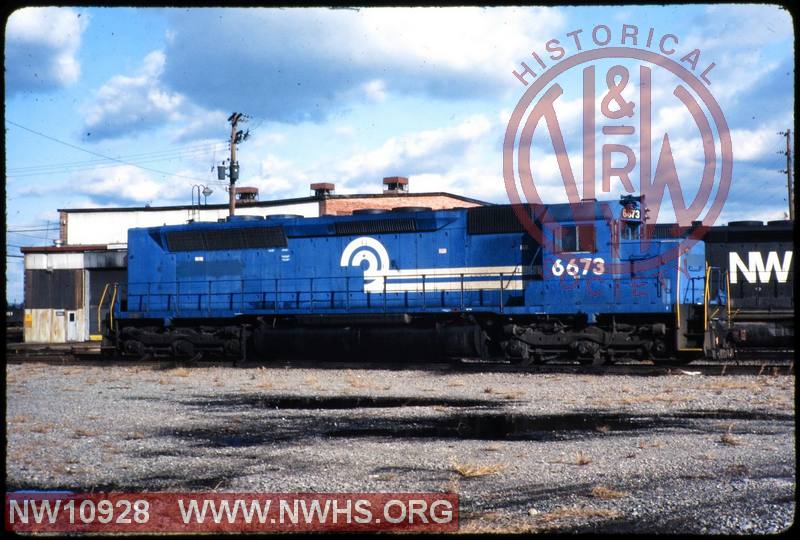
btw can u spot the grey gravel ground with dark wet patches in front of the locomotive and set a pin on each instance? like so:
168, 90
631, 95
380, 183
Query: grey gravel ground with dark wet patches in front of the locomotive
578, 453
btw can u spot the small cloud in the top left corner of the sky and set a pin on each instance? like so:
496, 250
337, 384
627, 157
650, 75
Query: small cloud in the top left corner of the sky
41, 48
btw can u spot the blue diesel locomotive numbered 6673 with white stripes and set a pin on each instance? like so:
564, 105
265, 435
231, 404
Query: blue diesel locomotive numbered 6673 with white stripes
422, 284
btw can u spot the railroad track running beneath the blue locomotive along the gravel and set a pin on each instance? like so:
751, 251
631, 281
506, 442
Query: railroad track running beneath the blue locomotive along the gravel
783, 365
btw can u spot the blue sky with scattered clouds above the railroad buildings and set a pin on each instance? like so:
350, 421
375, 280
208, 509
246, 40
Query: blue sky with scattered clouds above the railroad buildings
346, 96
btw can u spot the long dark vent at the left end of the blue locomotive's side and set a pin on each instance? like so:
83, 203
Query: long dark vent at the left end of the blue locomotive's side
215, 240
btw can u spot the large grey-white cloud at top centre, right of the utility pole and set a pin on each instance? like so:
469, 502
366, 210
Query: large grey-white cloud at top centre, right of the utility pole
445, 53
